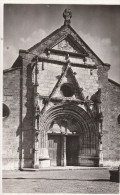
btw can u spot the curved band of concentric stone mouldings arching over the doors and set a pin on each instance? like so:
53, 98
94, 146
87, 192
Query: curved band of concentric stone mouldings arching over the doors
73, 111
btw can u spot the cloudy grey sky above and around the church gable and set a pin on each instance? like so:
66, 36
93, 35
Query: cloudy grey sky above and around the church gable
98, 25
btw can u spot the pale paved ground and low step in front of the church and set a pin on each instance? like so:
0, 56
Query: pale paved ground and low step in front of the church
59, 181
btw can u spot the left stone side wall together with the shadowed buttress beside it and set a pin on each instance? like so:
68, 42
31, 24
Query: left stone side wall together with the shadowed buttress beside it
18, 130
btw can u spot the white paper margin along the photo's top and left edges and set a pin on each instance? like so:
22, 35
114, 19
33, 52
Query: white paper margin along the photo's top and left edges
2, 2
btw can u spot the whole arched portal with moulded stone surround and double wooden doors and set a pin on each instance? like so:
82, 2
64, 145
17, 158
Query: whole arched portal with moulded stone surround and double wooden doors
69, 136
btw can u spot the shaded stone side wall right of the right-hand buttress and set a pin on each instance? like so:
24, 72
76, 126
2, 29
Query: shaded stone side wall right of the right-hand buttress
113, 126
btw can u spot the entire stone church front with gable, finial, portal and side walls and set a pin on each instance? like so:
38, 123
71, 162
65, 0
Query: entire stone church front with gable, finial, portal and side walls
59, 106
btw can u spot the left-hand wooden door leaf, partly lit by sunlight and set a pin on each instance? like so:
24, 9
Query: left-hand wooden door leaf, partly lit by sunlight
54, 148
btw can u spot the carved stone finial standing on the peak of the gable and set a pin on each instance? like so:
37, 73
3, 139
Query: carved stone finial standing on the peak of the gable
67, 15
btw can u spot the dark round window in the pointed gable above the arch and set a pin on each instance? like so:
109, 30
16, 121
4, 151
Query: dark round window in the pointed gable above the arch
67, 89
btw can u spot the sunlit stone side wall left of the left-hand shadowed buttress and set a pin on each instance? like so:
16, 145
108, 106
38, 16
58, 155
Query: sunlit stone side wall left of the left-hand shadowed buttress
11, 124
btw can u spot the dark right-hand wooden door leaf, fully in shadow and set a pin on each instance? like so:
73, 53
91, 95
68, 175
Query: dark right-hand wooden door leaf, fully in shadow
72, 150
